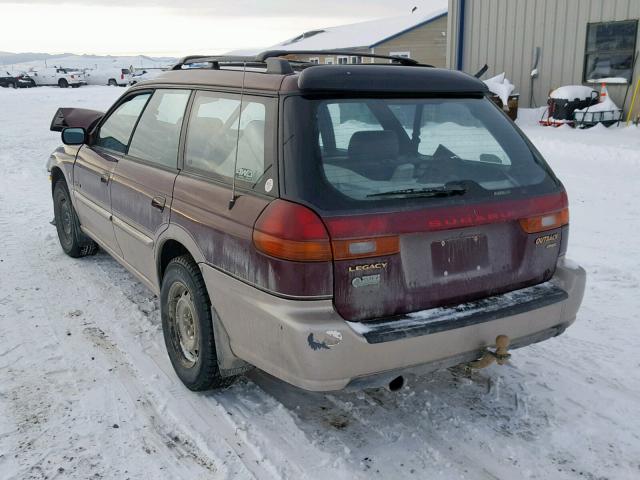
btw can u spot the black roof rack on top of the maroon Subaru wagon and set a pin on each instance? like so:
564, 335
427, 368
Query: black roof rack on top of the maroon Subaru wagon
274, 63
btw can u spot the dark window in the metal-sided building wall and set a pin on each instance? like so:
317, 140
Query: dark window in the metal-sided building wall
610, 49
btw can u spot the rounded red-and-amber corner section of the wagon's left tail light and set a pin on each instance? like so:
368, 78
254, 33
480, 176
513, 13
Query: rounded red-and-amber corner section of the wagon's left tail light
292, 232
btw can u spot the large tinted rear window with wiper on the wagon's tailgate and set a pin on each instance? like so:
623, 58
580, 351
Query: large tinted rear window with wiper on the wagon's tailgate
382, 150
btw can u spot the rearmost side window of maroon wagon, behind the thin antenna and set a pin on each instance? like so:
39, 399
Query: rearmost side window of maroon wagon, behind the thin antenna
213, 137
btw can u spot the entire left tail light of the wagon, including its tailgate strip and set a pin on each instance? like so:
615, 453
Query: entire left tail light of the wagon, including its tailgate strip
291, 231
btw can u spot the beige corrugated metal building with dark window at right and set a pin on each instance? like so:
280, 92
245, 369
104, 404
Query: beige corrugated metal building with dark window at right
574, 41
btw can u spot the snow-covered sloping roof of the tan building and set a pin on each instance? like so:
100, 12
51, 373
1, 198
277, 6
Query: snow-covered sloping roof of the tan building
366, 34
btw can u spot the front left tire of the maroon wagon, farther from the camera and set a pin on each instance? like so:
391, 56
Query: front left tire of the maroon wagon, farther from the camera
73, 242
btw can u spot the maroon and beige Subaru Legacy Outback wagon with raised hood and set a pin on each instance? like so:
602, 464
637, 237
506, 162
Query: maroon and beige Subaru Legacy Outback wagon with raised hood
333, 225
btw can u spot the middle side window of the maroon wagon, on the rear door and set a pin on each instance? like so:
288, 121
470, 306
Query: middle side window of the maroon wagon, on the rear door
157, 135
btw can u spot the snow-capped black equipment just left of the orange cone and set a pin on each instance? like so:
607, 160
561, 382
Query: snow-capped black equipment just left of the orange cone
564, 101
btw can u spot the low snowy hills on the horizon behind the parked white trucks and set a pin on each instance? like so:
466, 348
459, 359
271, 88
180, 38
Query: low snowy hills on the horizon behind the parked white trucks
28, 61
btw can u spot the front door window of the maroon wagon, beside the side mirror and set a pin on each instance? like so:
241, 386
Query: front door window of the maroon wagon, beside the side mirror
115, 132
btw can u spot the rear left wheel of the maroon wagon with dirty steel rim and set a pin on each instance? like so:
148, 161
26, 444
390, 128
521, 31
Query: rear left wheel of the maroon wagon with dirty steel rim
187, 325
